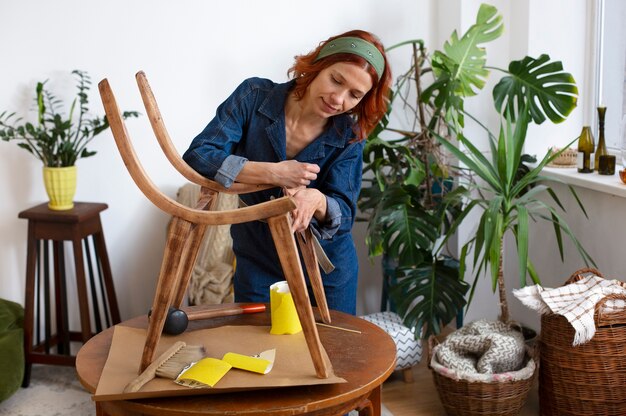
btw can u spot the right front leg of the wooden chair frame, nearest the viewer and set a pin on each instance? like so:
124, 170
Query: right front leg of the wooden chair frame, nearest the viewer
285, 242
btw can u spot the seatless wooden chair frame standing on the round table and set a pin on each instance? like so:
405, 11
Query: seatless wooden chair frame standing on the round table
189, 224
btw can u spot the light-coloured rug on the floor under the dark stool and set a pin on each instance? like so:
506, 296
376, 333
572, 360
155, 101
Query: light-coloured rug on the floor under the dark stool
56, 391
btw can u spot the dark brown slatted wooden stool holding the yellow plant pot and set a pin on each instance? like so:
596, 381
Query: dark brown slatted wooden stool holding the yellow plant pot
44, 289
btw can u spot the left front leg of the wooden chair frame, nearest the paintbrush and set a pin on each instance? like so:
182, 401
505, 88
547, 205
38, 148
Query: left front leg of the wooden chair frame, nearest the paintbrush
177, 236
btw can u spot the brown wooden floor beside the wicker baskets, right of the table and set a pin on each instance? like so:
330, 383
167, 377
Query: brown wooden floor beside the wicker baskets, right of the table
420, 398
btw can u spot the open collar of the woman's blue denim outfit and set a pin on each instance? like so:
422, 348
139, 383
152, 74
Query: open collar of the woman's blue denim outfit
273, 107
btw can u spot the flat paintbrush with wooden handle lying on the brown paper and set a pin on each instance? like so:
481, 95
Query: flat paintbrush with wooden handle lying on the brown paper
168, 365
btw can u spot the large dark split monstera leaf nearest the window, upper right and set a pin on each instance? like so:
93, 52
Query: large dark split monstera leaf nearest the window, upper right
539, 85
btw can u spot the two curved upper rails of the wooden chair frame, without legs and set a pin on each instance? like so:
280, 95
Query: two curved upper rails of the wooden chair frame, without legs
151, 191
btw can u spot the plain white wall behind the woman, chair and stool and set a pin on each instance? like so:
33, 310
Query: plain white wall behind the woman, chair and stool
194, 53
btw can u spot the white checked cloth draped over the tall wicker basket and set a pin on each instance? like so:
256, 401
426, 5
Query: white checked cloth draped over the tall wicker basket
576, 302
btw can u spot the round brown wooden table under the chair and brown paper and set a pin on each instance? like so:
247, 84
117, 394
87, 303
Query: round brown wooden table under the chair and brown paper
364, 360
